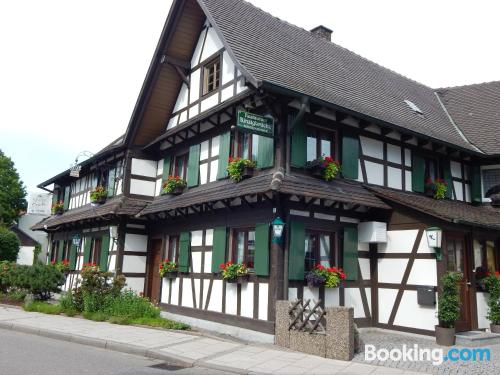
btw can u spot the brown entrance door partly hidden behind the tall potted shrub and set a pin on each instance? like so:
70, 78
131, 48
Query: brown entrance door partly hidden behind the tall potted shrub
458, 260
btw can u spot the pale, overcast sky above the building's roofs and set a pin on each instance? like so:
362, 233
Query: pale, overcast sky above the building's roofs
71, 70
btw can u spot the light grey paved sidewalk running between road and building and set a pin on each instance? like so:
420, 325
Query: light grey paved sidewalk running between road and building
183, 348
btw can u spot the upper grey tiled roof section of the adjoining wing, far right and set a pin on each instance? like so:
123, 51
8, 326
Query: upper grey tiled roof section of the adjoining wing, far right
476, 111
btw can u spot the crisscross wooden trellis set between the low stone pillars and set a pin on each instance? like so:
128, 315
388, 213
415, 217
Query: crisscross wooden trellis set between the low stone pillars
307, 318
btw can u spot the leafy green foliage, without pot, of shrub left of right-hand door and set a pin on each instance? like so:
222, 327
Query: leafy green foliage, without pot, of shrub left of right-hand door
449, 300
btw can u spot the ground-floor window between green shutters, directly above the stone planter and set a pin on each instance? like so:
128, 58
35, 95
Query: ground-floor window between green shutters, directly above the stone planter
318, 249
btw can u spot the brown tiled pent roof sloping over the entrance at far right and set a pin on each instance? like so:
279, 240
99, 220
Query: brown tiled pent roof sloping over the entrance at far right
444, 209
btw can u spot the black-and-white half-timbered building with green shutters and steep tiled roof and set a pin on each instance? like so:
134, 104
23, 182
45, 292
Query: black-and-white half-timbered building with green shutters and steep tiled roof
217, 60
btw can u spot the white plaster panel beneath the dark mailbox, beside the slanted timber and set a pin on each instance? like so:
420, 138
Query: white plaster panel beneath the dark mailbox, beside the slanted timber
411, 314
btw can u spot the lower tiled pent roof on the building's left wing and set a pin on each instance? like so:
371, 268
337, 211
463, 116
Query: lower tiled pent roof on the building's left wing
115, 206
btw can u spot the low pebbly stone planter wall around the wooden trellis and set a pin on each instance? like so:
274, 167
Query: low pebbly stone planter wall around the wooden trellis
337, 343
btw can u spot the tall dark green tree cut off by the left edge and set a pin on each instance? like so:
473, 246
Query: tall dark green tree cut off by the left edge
12, 192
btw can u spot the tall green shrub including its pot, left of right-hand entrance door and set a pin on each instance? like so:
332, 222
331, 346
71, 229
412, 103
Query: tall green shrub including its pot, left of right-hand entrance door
448, 309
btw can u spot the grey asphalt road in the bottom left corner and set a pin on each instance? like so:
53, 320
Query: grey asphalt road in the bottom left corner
22, 353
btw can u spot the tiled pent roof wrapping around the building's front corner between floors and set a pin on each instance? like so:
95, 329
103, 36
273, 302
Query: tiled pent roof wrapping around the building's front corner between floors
337, 190
